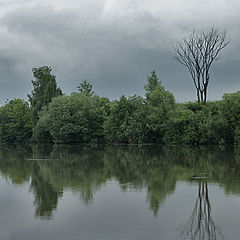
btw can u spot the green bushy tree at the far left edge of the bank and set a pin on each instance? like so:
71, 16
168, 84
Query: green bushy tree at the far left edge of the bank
15, 122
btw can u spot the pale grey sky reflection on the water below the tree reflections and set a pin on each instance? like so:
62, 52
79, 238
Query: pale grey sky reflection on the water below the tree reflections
113, 214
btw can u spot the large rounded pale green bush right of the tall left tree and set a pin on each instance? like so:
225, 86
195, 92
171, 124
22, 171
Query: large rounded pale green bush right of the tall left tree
75, 118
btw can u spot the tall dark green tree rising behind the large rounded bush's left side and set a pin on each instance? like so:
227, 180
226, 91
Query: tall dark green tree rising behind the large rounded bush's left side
44, 90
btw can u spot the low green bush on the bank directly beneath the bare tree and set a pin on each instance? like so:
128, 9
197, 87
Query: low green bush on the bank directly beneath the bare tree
196, 124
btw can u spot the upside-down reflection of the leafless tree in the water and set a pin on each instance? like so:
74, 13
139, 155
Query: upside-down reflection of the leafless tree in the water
201, 225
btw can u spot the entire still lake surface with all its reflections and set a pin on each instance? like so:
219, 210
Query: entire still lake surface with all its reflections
119, 193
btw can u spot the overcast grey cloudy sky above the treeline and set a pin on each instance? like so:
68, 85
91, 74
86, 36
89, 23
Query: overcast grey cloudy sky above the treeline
114, 44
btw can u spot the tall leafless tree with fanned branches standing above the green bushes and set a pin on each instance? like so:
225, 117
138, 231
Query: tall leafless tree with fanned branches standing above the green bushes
197, 53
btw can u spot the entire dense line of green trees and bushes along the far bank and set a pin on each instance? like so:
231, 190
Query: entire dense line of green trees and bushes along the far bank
84, 117
